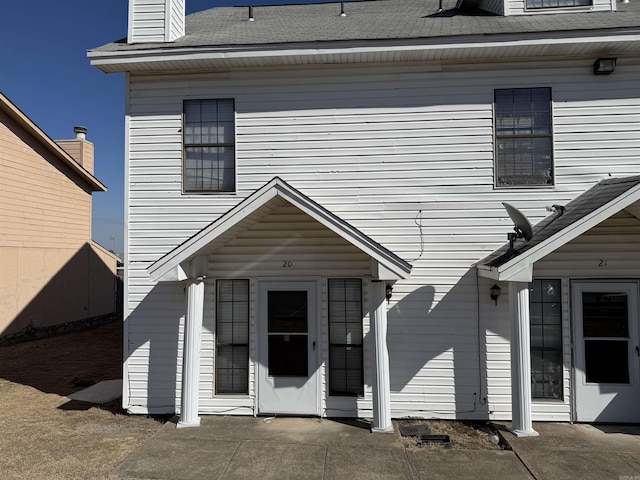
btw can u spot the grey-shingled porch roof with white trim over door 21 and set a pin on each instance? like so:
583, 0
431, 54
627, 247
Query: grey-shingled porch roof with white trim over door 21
600, 202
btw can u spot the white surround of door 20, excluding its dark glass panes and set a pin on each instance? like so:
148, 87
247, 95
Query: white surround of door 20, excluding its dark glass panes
288, 395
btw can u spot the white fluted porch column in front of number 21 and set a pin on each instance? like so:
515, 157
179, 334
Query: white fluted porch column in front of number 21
521, 423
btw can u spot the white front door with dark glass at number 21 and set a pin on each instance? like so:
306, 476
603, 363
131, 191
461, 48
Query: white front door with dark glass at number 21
607, 351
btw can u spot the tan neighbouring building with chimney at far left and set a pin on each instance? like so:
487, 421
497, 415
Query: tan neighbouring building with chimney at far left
52, 272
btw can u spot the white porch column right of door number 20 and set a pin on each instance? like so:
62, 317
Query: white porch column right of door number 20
382, 385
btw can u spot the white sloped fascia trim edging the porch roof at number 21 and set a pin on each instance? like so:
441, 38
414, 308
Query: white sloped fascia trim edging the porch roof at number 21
520, 268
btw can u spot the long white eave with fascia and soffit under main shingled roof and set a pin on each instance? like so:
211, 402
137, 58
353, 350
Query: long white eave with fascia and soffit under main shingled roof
468, 48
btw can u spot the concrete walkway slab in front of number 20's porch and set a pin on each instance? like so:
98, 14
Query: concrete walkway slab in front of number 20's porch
305, 448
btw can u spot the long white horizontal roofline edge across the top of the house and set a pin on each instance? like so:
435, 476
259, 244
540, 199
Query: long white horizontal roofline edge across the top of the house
469, 46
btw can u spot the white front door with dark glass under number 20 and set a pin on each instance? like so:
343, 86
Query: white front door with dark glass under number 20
287, 367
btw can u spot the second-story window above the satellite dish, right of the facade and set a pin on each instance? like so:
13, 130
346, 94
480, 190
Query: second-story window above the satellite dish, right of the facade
523, 140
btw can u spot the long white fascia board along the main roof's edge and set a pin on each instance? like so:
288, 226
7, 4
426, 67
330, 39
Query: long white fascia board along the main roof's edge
471, 43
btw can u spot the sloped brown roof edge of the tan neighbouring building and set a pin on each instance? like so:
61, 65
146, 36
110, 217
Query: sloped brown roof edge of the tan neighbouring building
25, 122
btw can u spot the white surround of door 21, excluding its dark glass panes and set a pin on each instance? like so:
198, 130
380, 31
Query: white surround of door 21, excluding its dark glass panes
603, 394
